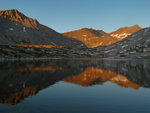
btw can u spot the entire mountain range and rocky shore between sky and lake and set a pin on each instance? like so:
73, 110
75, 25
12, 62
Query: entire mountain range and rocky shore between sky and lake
24, 37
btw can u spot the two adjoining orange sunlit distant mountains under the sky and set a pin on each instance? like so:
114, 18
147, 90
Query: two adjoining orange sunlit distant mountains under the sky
94, 38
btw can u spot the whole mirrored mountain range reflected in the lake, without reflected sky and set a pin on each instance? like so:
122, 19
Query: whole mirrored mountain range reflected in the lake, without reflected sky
19, 80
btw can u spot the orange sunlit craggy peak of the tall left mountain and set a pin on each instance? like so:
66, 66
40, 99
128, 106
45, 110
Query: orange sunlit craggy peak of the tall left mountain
15, 16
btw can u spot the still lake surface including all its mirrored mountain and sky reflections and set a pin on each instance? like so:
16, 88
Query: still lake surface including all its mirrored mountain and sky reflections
75, 86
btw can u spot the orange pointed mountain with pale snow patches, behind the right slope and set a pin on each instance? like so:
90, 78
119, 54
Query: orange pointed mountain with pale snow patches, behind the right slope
125, 32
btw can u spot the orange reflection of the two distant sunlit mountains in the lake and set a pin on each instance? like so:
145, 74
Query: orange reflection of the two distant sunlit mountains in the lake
92, 76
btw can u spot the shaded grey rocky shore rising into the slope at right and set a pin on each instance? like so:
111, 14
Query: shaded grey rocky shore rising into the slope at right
136, 45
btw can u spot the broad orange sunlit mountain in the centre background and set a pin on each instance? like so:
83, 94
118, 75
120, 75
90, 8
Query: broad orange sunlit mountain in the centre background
91, 38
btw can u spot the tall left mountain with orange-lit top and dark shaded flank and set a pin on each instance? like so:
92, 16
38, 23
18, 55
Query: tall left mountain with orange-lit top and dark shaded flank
16, 28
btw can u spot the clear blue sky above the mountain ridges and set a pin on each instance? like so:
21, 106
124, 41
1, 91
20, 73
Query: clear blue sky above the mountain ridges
68, 15
